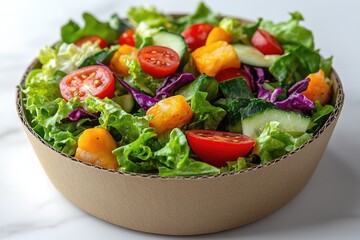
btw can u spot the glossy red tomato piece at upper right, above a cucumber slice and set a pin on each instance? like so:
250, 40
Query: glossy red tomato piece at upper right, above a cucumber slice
266, 43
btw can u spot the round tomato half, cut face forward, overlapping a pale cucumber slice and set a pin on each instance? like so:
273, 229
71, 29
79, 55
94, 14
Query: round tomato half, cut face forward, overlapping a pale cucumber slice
158, 61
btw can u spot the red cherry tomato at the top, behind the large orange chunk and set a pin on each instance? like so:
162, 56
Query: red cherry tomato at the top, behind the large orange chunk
195, 35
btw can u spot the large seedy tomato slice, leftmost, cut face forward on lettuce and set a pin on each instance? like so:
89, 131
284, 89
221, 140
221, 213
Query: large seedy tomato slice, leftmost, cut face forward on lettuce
95, 80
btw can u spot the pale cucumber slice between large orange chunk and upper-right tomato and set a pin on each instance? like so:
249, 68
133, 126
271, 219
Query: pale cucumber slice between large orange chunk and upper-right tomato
251, 56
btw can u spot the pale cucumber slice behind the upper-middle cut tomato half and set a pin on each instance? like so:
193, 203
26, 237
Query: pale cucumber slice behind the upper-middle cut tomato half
171, 40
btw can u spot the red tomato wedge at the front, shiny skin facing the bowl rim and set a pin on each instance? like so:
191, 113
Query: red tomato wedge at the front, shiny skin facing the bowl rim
217, 148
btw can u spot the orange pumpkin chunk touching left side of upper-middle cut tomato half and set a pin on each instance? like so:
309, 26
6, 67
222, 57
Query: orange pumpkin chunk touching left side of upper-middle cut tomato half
118, 61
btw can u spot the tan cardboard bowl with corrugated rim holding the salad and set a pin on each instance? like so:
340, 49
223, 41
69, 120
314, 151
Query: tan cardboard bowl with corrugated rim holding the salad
180, 205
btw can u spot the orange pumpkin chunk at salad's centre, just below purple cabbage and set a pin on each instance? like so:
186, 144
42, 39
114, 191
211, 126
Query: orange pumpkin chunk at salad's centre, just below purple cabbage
169, 113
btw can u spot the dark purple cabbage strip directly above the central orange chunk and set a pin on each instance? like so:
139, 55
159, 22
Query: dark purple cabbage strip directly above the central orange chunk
171, 83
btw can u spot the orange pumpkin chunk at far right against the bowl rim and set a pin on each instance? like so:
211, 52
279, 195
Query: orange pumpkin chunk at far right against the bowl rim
318, 89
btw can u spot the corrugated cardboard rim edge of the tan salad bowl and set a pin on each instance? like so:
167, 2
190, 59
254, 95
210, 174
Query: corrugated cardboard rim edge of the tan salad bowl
337, 99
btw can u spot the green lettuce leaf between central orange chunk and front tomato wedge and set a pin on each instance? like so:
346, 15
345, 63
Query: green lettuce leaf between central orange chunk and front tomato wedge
206, 116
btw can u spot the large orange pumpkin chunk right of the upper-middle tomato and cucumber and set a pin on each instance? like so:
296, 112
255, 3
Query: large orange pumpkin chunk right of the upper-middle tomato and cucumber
212, 58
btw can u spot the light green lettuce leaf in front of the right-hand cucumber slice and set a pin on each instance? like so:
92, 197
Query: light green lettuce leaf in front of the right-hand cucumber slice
273, 143
